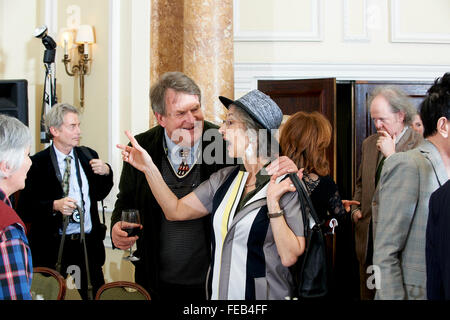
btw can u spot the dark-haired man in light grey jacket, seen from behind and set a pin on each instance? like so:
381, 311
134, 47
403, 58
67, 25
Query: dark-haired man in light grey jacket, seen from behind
407, 181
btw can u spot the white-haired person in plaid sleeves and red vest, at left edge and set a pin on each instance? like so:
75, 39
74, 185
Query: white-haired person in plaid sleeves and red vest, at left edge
15, 256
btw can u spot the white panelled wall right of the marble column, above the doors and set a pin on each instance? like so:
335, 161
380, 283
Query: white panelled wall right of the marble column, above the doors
346, 39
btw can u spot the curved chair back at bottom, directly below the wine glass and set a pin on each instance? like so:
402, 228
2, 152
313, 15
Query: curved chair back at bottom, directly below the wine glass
122, 290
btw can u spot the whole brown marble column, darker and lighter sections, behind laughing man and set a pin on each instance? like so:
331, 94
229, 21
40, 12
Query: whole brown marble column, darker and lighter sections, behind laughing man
196, 37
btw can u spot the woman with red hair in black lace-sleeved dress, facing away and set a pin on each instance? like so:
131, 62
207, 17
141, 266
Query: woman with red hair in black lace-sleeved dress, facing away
305, 138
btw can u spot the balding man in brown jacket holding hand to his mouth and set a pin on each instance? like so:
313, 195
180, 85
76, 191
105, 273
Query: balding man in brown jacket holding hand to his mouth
392, 112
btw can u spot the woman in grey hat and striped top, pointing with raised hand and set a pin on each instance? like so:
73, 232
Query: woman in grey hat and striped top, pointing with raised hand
256, 219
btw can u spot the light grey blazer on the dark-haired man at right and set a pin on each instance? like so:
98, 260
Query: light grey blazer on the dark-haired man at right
406, 183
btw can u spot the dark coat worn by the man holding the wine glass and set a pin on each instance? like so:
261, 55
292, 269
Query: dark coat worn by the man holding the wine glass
134, 192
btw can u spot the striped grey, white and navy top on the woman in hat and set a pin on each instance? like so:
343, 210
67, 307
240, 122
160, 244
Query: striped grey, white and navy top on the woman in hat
245, 262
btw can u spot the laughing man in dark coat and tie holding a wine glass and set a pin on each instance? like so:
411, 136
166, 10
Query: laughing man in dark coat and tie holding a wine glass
174, 256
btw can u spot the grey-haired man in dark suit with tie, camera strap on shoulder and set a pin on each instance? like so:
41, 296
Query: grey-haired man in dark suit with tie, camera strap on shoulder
63, 180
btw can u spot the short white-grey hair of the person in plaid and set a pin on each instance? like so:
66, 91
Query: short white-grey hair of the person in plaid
15, 138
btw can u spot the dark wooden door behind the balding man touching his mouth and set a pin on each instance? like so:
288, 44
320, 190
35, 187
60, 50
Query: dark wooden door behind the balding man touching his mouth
363, 124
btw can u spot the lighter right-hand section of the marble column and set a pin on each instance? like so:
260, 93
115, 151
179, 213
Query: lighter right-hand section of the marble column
208, 51
